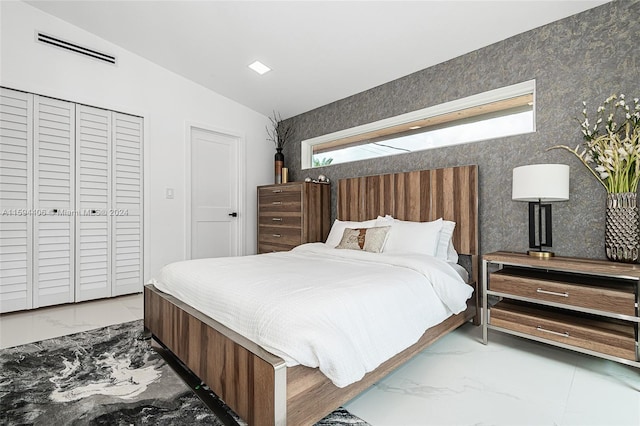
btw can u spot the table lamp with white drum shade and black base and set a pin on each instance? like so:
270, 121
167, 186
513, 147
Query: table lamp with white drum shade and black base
538, 183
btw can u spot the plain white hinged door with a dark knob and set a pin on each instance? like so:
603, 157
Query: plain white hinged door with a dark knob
214, 194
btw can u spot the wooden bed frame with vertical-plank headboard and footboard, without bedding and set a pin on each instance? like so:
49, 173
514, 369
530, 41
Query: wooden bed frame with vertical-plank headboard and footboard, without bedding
255, 383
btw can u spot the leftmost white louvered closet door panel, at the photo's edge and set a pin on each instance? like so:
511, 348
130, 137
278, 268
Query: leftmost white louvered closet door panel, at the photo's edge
16, 185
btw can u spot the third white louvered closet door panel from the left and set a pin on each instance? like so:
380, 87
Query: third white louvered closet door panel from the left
93, 201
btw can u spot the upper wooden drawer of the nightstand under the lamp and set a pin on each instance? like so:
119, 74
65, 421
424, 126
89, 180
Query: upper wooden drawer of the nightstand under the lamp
611, 298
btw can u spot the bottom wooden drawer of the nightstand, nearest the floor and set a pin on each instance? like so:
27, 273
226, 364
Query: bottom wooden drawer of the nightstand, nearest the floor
611, 337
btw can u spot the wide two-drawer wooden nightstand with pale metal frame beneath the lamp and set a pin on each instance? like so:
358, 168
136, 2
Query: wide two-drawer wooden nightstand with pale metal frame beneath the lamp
586, 305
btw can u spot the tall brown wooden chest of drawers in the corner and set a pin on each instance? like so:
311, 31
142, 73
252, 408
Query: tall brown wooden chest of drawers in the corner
291, 214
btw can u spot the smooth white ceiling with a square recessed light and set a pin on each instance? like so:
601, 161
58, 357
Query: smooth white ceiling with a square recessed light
319, 51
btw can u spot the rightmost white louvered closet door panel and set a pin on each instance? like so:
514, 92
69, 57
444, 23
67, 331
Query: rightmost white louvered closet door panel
127, 204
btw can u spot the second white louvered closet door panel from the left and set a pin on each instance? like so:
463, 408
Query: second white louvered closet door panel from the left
54, 169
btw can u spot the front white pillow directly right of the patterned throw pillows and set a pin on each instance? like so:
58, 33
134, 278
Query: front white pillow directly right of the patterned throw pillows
412, 237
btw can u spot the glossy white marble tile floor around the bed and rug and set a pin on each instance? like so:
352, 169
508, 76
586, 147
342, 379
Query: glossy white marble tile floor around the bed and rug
457, 381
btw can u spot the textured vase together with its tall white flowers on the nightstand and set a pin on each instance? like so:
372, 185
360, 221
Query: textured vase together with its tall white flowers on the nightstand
611, 153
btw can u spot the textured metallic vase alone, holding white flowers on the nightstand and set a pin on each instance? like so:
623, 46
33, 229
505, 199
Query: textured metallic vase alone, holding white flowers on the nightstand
622, 231
